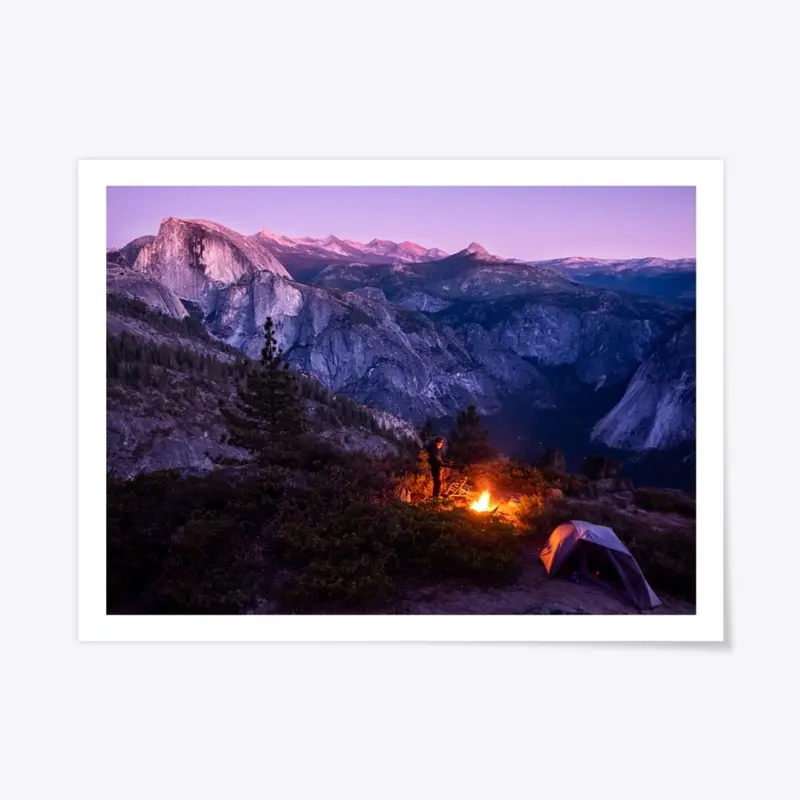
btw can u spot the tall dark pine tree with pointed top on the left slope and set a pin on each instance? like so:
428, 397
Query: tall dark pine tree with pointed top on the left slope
266, 414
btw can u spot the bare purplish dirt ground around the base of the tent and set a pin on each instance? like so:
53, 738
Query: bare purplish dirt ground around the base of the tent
533, 593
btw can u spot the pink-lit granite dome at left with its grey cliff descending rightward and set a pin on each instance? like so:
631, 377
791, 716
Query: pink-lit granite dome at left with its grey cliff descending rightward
355, 343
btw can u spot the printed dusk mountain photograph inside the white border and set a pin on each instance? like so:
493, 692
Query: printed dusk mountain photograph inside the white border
405, 401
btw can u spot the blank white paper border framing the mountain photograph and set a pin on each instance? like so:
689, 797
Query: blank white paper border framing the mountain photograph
93, 178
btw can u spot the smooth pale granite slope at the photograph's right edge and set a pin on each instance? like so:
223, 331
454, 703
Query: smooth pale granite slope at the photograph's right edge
658, 409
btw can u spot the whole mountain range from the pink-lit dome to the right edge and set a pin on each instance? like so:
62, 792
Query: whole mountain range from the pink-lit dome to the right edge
421, 333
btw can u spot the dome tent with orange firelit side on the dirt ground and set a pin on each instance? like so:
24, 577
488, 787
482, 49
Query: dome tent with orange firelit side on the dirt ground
583, 546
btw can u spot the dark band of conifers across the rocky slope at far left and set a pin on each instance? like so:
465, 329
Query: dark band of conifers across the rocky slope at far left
140, 363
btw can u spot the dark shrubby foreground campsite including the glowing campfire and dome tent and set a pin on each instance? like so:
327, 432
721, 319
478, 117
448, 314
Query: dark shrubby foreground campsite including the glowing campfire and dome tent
320, 532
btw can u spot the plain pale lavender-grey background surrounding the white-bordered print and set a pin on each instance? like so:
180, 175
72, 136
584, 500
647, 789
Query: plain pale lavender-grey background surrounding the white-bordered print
573, 79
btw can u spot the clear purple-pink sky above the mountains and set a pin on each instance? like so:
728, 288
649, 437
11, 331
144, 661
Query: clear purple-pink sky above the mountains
528, 222
